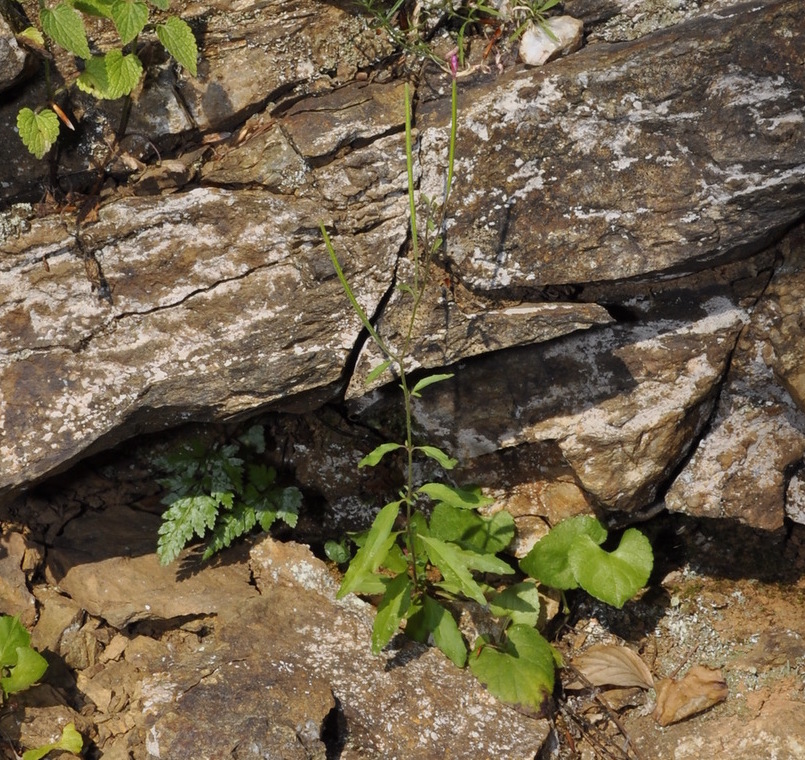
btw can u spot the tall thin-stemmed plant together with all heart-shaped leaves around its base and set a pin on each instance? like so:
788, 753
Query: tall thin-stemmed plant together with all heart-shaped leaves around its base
430, 553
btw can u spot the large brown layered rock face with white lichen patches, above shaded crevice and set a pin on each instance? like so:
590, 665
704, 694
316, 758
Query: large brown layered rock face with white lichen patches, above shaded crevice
610, 236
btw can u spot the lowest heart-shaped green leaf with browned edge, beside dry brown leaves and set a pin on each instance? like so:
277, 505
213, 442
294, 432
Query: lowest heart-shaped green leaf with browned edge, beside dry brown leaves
521, 671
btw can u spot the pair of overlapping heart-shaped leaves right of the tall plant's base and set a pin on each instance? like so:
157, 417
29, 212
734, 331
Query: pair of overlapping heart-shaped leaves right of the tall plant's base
570, 556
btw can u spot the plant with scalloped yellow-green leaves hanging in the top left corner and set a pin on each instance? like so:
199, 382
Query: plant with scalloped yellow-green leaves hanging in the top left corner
111, 75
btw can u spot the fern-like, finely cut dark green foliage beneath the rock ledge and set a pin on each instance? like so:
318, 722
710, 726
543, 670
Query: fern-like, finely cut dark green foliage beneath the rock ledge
214, 490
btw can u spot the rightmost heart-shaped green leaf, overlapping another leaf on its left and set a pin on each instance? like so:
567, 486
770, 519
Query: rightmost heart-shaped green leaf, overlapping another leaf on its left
613, 577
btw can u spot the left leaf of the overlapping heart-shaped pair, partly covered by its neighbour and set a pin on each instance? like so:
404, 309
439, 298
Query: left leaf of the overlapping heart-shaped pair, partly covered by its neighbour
548, 561
